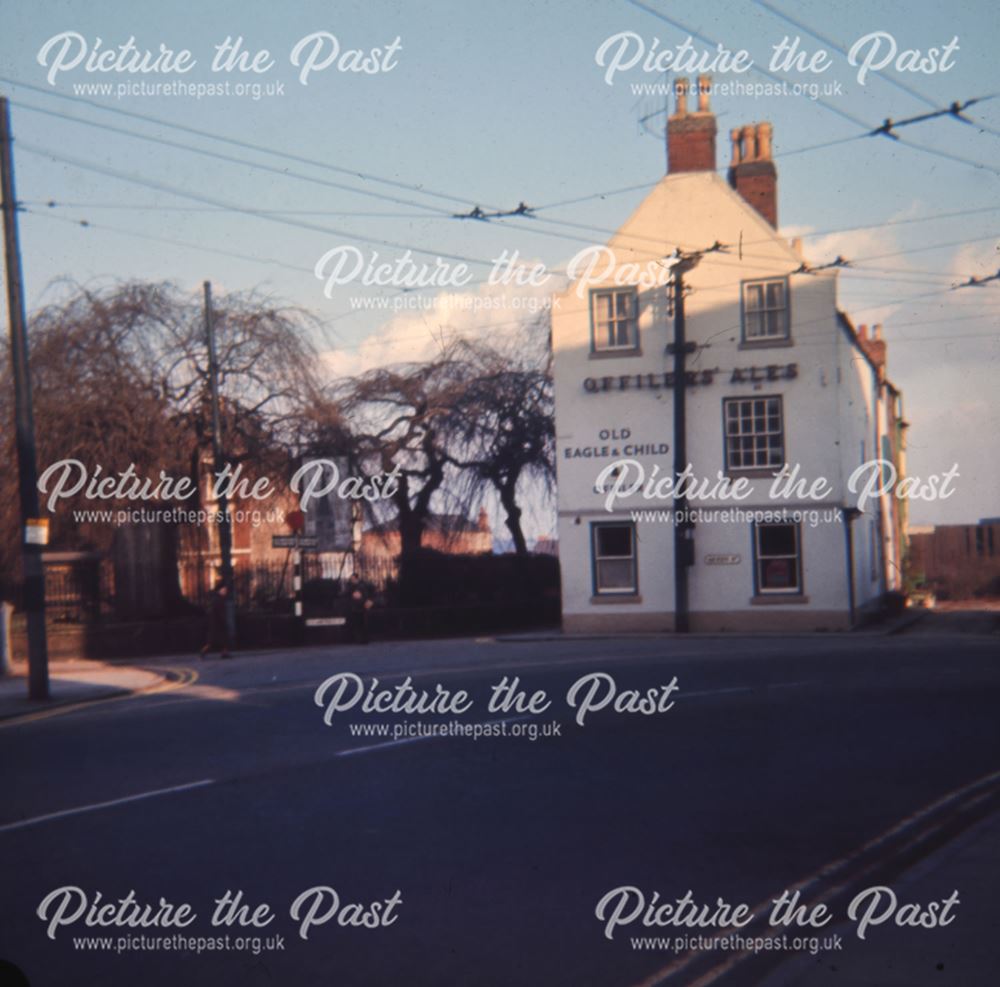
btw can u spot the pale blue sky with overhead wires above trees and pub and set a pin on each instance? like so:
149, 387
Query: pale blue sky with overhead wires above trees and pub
498, 104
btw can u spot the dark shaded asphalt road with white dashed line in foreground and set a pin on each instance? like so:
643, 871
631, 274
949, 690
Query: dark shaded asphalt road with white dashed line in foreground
828, 764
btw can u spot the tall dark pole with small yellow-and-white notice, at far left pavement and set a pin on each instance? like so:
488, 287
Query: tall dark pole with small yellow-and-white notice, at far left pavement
33, 531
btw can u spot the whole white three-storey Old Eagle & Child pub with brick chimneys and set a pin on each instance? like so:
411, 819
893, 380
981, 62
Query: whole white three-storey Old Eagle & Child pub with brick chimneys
776, 378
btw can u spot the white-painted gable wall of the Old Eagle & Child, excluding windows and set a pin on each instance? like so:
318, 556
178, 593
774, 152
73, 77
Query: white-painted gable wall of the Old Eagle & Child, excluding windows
827, 407
